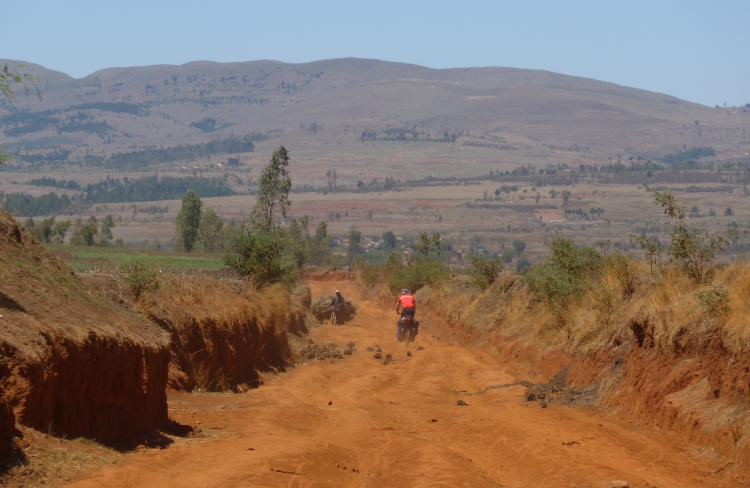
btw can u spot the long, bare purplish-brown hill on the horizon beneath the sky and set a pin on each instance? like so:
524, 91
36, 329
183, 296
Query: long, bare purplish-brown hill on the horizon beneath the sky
481, 114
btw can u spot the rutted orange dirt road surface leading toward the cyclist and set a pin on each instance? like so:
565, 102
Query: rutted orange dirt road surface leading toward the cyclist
358, 422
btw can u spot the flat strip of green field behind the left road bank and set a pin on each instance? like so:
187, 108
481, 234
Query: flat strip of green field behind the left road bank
83, 259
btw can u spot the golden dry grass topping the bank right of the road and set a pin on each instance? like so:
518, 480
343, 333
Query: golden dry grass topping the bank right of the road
603, 318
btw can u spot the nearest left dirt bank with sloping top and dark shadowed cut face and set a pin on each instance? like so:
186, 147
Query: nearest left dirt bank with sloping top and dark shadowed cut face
72, 362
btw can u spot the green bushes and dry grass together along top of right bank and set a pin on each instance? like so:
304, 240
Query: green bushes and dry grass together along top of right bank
586, 297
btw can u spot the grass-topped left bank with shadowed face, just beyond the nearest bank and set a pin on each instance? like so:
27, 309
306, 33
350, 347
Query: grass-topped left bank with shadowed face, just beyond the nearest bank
224, 333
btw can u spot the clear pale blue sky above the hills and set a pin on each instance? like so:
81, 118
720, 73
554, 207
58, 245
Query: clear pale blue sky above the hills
695, 50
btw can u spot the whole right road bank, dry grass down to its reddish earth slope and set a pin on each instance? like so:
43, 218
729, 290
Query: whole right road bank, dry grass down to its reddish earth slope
658, 352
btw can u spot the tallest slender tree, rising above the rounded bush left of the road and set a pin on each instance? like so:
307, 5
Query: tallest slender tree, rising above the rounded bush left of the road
274, 186
